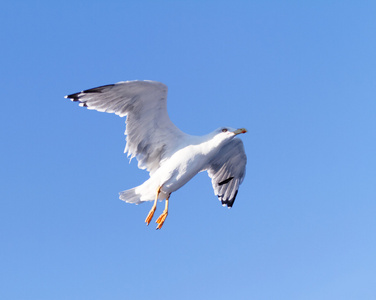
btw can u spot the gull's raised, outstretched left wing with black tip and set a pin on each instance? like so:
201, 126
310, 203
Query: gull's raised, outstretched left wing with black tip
151, 136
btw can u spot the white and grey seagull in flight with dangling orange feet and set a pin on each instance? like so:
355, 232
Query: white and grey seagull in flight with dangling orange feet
171, 156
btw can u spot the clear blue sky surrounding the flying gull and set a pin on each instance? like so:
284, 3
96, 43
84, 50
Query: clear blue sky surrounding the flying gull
299, 75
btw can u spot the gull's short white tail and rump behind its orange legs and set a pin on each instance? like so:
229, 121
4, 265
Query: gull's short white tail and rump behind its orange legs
142, 193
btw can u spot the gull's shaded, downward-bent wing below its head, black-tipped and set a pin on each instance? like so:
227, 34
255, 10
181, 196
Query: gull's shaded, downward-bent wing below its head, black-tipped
227, 171
